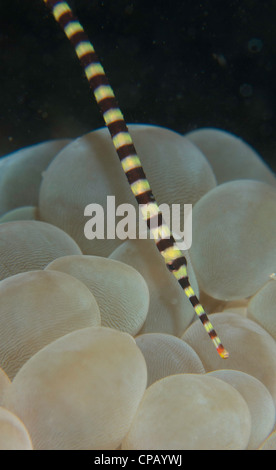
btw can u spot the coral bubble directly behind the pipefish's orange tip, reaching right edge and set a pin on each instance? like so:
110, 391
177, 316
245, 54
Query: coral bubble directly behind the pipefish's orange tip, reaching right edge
252, 350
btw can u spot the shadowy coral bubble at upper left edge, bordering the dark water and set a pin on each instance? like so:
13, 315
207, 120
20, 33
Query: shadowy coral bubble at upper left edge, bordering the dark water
21, 174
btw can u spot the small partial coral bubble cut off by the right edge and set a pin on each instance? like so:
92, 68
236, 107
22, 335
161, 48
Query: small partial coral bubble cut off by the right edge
261, 307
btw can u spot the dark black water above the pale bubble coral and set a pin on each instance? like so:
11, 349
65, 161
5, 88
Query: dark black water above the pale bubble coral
183, 65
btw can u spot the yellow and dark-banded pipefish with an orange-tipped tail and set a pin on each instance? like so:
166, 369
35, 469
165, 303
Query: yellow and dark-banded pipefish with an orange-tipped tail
131, 164
